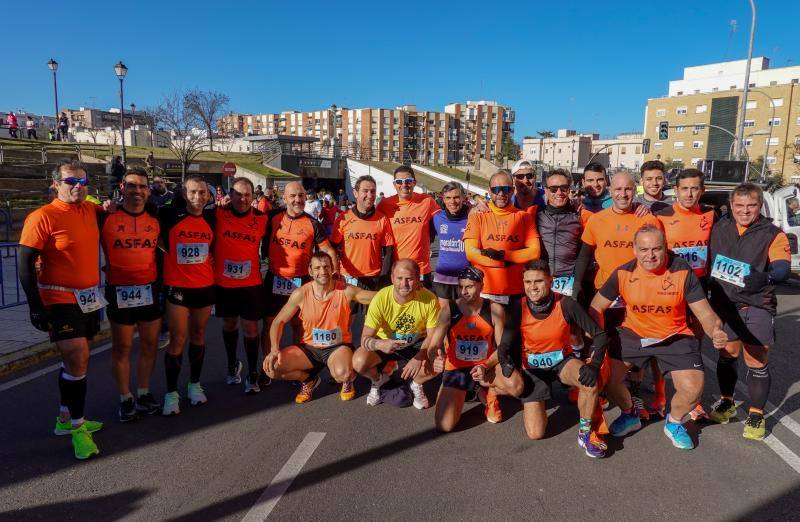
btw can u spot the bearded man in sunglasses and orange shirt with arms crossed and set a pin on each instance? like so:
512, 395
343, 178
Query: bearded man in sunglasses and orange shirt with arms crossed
501, 241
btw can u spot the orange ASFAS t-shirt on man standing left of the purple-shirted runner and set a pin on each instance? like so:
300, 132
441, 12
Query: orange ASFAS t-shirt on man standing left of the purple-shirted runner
410, 221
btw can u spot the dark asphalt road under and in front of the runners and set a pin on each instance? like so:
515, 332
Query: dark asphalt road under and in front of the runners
216, 461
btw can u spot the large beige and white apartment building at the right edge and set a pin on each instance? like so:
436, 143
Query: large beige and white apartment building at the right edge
702, 113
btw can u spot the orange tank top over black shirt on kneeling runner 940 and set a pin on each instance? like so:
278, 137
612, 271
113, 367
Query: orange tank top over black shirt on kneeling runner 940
543, 335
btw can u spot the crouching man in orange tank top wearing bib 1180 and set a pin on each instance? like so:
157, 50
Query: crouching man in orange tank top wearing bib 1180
324, 308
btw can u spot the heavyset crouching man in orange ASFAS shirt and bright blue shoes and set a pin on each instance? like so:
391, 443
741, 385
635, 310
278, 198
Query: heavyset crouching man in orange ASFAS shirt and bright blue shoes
656, 288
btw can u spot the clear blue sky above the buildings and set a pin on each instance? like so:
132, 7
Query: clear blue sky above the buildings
585, 65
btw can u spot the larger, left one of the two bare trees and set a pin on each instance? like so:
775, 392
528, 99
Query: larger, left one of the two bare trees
180, 123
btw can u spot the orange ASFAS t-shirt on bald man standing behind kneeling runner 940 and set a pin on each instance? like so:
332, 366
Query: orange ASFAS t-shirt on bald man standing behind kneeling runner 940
611, 234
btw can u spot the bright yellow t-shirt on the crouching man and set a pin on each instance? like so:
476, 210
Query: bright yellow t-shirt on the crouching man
407, 322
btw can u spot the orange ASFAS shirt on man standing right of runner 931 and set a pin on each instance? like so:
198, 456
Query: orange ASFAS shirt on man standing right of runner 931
291, 242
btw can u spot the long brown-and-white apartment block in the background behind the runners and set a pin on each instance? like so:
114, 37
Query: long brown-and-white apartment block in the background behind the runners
458, 135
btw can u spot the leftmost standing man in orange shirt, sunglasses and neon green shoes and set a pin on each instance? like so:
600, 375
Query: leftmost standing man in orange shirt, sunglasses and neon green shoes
63, 297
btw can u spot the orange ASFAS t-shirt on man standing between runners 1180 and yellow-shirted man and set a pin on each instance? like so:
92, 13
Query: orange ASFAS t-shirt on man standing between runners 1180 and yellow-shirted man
360, 240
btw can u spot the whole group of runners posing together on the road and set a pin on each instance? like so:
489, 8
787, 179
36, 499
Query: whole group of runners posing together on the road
529, 289
